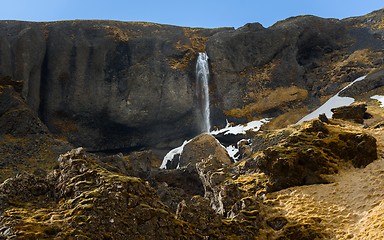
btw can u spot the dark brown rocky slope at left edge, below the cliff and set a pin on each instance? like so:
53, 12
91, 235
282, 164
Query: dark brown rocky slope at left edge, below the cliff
25, 142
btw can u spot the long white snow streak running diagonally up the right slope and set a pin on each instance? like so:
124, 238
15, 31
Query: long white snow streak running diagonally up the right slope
333, 102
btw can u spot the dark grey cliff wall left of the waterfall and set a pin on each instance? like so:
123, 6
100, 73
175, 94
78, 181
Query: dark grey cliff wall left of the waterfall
107, 85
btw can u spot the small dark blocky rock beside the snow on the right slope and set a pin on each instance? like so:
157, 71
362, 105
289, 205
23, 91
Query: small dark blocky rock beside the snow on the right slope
355, 113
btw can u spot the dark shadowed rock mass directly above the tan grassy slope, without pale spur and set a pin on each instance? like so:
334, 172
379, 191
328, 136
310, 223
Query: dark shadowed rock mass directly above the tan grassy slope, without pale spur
314, 151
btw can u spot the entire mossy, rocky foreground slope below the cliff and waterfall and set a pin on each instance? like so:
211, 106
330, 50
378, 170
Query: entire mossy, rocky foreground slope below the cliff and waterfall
318, 180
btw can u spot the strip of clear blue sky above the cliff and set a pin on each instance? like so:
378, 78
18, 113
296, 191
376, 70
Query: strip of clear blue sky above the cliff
192, 13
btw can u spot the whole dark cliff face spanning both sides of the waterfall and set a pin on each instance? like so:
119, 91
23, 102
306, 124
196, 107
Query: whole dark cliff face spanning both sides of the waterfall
111, 85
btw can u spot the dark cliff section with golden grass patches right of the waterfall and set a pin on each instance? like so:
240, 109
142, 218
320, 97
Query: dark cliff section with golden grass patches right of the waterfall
266, 72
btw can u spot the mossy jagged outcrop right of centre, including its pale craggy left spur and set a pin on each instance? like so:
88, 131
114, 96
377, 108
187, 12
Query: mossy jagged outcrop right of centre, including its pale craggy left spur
293, 157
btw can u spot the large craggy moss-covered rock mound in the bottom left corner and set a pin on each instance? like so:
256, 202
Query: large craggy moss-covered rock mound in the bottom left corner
82, 200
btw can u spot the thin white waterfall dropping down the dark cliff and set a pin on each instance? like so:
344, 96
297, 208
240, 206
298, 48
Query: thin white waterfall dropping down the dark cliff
202, 90
